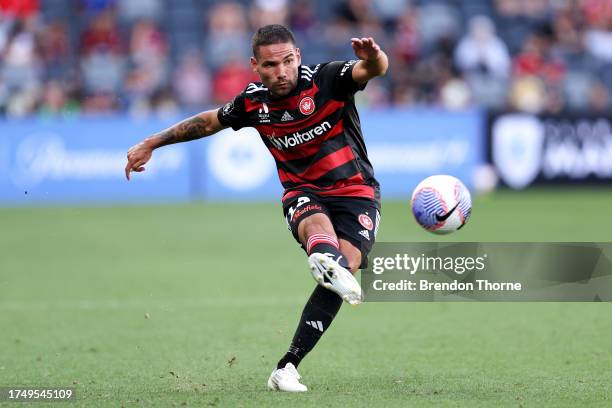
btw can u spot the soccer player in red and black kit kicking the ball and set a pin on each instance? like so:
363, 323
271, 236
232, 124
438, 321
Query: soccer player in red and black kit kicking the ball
306, 117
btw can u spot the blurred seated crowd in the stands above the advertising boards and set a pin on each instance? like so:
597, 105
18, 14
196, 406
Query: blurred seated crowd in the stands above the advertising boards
143, 57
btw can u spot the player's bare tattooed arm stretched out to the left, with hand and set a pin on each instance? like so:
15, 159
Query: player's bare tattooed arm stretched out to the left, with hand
195, 127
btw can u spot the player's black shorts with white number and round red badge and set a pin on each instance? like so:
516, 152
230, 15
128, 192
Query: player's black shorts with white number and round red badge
354, 219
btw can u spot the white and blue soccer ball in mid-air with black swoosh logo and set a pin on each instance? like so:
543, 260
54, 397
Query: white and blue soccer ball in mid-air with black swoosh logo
441, 204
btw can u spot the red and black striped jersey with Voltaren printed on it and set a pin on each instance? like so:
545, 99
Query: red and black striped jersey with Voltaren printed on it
313, 133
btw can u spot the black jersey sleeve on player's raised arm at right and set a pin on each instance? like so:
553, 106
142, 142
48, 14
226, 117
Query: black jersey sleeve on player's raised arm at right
338, 77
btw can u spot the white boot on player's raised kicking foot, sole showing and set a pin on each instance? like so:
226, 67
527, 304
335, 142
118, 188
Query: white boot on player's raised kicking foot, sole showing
329, 274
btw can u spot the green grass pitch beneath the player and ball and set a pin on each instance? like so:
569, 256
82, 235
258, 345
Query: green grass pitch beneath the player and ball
192, 305
